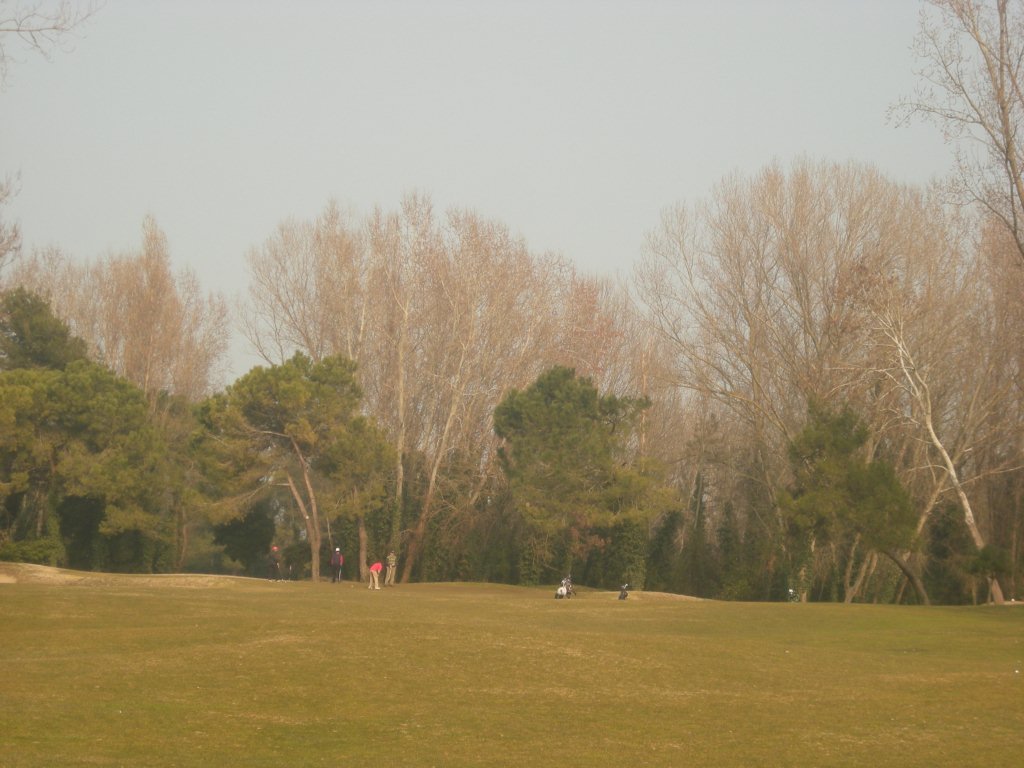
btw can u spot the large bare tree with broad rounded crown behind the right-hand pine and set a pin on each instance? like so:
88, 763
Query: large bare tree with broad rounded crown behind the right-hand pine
758, 294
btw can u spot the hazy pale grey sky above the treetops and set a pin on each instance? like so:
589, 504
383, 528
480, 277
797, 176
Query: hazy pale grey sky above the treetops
574, 123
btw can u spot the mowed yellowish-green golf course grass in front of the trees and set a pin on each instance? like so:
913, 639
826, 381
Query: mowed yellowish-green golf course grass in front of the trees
179, 671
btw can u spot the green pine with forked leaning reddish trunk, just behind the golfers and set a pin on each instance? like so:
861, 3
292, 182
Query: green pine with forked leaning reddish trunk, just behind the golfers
296, 431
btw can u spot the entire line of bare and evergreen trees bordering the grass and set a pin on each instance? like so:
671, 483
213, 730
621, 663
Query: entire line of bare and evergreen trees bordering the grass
812, 382
